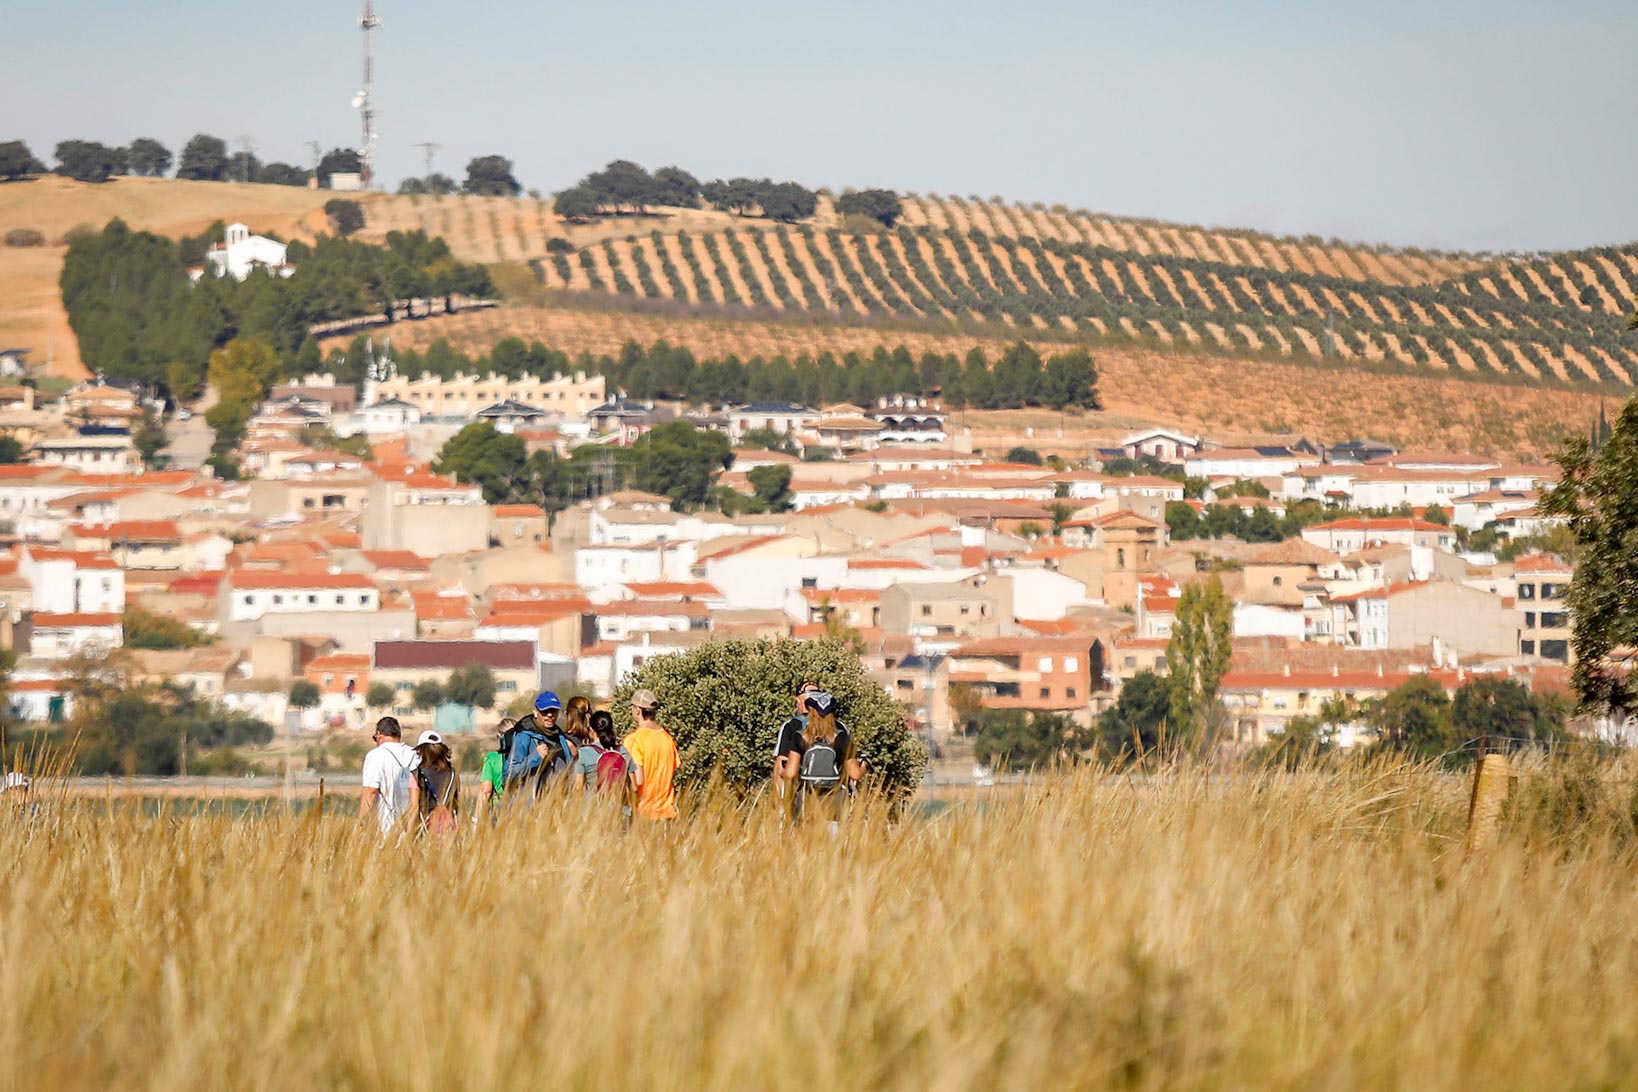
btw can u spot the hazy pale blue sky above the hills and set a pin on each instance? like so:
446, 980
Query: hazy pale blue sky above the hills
1455, 124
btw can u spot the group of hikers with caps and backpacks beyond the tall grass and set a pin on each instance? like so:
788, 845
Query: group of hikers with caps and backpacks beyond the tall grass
815, 765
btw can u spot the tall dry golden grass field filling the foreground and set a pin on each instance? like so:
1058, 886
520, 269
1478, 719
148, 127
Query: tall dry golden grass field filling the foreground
1192, 931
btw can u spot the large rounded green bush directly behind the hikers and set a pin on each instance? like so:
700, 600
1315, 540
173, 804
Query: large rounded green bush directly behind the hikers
726, 702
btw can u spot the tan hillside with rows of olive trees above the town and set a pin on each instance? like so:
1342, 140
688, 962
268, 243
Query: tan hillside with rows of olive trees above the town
1208, 328
